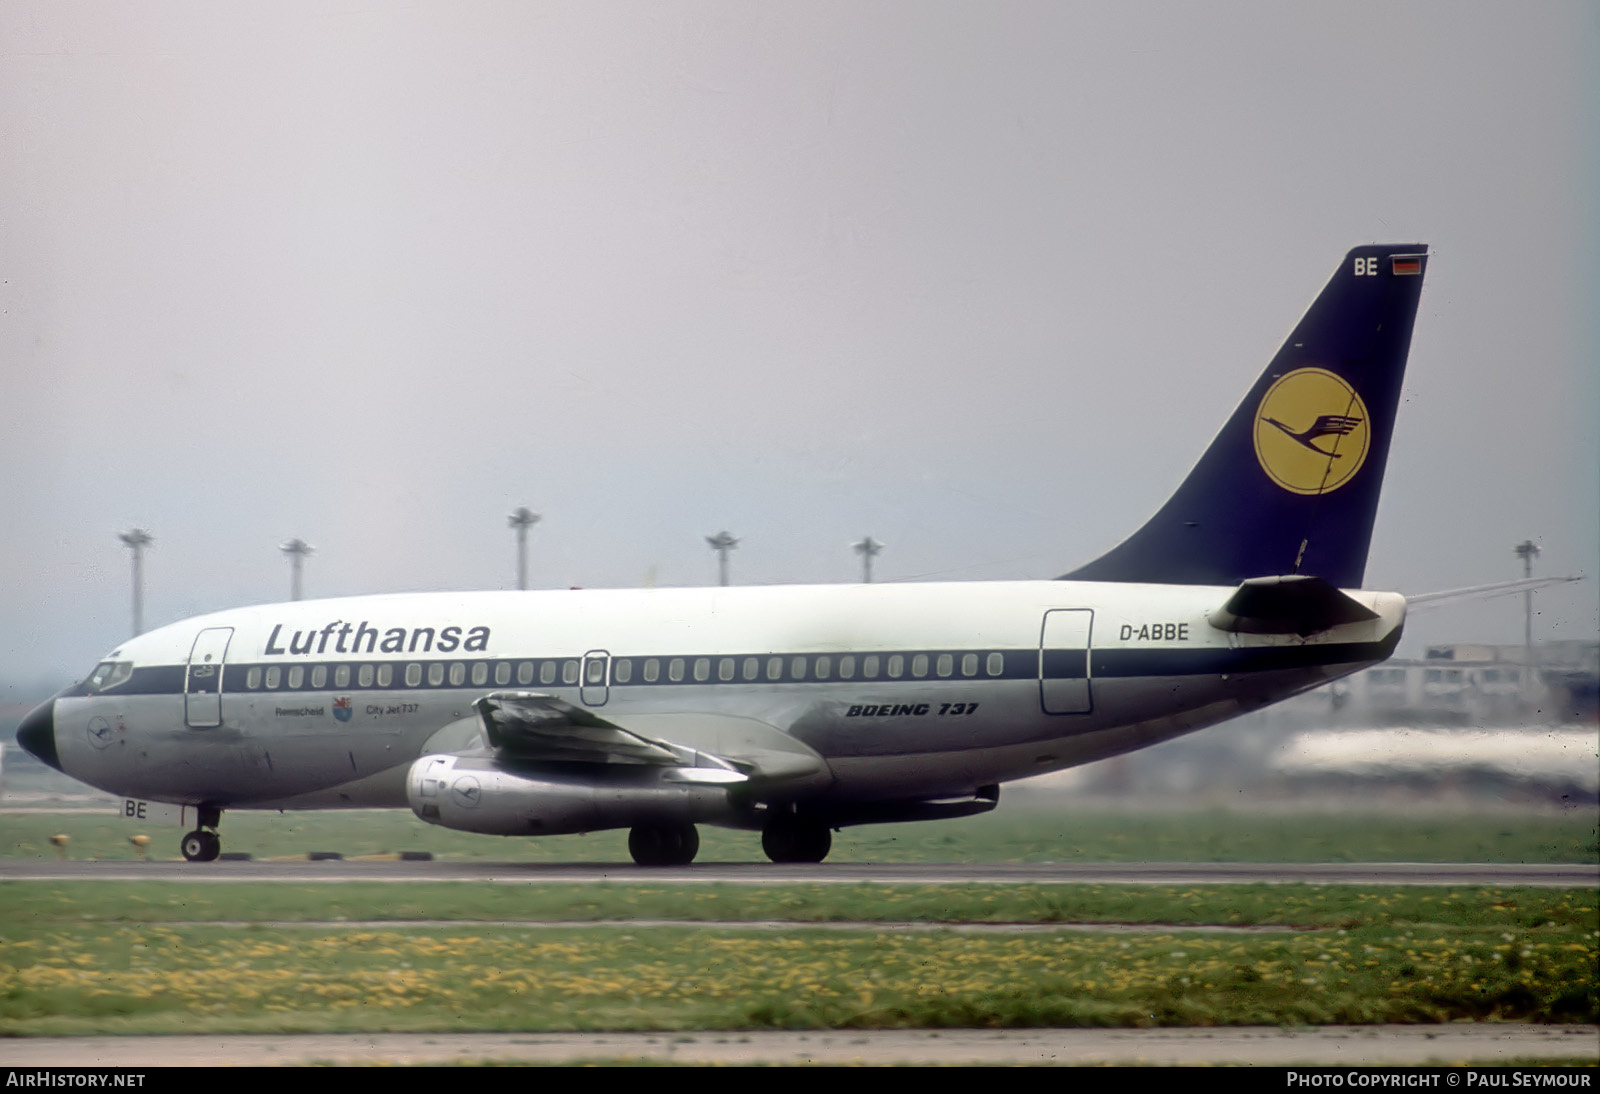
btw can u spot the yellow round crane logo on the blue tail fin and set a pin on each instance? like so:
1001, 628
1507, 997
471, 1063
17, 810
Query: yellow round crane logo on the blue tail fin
1311, 433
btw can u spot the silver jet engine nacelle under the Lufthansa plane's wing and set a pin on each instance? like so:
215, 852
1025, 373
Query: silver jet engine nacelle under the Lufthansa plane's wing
479, 794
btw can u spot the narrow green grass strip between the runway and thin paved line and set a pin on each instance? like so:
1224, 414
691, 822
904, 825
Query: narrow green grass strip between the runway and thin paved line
31, 906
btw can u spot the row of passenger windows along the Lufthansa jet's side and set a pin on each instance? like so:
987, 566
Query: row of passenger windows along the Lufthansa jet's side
796, 668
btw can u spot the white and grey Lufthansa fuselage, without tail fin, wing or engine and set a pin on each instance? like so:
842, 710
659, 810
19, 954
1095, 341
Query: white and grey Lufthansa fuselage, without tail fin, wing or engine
902, 692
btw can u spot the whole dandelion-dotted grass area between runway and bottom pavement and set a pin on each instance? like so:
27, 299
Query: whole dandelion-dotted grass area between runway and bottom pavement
71, 964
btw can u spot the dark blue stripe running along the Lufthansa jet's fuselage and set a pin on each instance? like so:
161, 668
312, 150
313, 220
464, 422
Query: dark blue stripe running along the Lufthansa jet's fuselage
1018, 665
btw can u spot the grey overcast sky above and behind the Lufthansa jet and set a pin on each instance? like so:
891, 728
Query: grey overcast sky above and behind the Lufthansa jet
977, 279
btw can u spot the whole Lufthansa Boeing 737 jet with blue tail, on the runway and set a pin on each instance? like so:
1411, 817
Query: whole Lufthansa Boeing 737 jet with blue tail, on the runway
793, 711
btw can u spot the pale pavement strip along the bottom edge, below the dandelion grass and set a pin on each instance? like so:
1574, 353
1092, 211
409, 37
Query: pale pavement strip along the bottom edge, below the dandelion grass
1330, 1045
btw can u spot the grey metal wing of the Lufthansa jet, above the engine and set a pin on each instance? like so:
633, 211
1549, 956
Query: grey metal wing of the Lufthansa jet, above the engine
694, 748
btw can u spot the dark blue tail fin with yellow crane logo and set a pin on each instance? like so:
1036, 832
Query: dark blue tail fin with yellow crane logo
1290, 485
